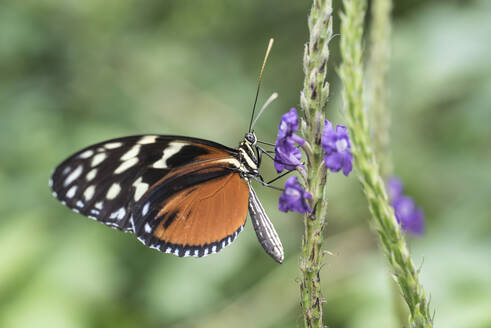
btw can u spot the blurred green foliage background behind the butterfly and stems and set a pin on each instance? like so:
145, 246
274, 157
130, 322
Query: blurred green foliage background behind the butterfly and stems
73, 73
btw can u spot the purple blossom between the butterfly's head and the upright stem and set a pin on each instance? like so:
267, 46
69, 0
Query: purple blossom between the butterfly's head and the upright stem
287, 155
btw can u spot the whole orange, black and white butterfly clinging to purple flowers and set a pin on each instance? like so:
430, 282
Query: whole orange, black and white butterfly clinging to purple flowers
180, 195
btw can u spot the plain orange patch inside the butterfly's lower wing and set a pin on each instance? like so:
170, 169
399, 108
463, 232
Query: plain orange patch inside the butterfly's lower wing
204, 214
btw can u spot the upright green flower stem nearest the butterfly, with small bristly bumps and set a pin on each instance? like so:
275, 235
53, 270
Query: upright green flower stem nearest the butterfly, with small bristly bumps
313, 100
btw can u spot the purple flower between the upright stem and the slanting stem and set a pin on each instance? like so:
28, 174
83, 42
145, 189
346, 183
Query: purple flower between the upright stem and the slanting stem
337, 146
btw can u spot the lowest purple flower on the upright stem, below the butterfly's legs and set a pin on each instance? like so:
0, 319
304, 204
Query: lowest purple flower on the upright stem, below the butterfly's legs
294, 198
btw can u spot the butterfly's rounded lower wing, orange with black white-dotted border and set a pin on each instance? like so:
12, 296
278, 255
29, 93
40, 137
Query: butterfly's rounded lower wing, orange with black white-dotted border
194, 211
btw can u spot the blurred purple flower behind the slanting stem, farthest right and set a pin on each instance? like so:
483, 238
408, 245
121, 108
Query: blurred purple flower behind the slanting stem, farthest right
409, 216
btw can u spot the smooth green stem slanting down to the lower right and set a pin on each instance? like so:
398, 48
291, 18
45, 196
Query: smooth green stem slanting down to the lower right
384, 222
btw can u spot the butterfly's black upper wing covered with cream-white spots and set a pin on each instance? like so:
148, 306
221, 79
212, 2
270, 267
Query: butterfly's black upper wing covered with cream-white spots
105, 181
